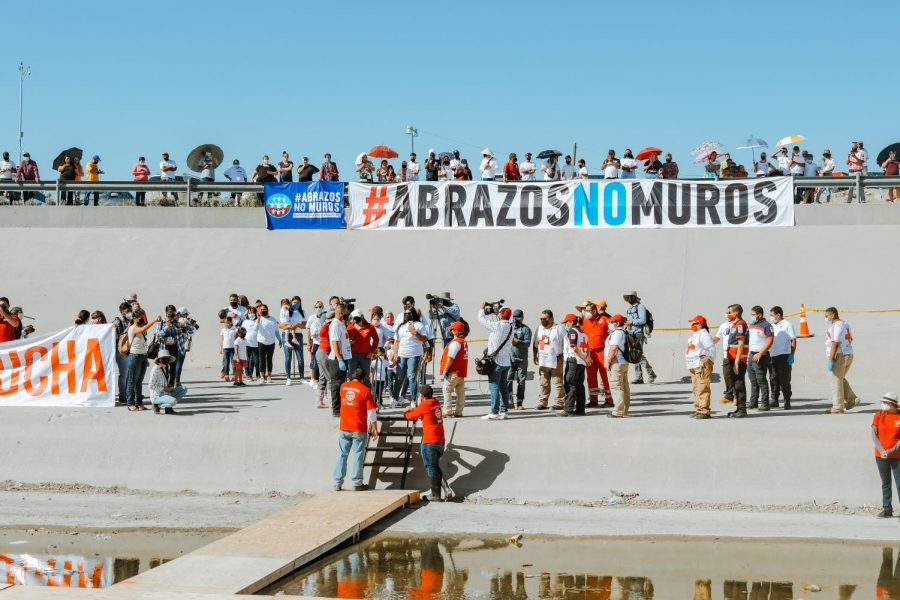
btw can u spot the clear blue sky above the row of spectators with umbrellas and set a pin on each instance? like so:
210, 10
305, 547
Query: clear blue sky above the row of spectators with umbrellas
123, 79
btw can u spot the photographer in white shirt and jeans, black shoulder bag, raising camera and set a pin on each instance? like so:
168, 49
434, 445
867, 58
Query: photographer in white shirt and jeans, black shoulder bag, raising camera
497, 358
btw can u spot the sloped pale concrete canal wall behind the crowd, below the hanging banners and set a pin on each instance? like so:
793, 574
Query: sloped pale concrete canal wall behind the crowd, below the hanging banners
64, 259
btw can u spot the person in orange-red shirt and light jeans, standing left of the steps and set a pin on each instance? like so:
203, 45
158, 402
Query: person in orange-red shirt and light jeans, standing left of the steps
359, 421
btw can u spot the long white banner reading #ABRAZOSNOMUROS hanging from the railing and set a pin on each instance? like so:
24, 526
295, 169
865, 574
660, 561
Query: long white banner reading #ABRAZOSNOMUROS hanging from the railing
582, 204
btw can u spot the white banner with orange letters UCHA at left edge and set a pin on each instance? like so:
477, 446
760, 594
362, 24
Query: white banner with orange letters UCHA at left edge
73, 367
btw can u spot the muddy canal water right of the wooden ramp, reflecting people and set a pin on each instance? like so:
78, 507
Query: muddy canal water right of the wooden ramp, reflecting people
422, 568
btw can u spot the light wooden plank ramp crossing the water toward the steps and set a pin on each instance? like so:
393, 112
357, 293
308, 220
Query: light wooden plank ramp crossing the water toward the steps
250, 559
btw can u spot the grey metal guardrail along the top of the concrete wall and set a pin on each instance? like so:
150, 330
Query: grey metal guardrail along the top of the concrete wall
190, 187
